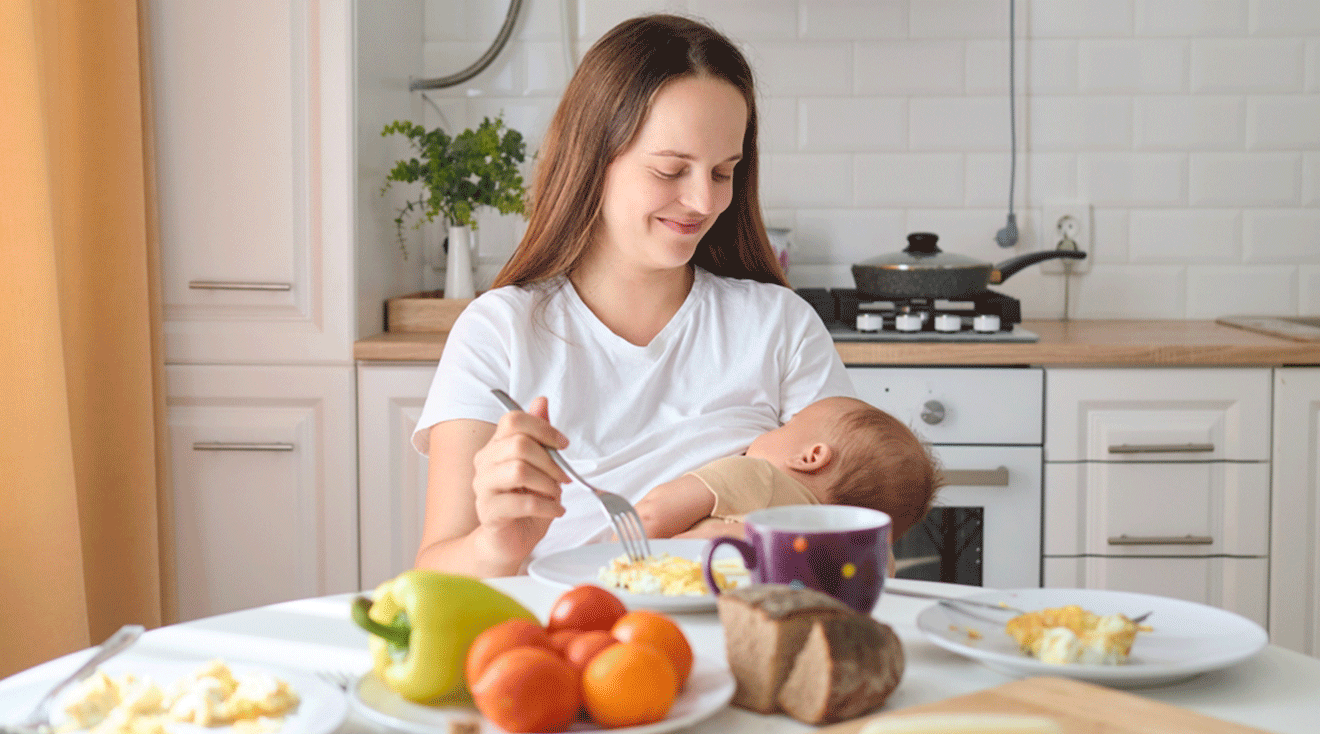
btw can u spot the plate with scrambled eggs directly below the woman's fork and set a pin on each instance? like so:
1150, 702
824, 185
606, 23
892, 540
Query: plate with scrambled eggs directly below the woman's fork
671, 580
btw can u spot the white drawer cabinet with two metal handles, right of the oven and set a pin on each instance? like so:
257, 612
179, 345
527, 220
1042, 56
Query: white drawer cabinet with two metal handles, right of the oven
1158, 480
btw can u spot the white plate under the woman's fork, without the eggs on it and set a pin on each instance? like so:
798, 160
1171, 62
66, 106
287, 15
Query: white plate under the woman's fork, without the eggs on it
583, 564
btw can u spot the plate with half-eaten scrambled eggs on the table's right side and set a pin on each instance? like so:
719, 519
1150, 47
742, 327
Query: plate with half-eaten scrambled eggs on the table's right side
1086, 634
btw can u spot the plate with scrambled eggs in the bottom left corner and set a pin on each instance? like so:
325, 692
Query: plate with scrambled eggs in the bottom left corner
141, 696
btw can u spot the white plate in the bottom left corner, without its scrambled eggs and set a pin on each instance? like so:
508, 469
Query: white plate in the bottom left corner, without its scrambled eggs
321, 708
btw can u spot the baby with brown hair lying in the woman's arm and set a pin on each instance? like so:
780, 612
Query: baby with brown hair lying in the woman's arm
838, 451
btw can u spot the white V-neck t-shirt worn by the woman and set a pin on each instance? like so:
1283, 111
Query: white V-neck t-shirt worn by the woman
737, 360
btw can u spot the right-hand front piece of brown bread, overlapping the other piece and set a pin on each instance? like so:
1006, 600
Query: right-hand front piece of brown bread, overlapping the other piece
848, 669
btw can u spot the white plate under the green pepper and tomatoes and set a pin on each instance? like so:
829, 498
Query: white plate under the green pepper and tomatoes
709, 688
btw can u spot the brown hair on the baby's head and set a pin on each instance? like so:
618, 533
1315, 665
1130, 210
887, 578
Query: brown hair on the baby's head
885, 467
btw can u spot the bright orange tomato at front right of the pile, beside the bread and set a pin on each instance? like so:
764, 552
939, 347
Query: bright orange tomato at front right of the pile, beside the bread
629, 684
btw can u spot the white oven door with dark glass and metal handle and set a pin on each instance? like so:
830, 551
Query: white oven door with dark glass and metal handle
984, 529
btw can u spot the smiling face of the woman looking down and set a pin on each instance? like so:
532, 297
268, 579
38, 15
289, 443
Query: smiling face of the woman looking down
666, 191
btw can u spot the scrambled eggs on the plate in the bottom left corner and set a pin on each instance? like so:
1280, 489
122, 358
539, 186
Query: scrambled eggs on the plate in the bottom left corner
212, 696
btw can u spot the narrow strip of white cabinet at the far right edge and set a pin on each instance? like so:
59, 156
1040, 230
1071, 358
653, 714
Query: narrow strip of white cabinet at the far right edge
1296, 542
